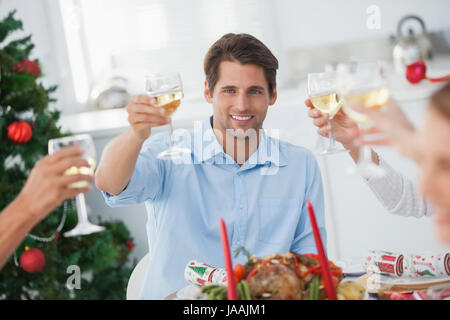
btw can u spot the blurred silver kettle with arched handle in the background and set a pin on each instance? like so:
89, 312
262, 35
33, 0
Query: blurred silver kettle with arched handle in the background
411, 47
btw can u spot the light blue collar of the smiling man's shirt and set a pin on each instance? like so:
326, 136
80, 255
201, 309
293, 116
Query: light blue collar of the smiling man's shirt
207, 149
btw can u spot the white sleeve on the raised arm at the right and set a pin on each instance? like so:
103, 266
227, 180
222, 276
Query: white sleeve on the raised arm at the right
398, 194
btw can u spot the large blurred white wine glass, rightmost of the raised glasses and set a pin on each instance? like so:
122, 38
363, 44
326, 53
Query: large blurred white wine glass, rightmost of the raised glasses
364, 84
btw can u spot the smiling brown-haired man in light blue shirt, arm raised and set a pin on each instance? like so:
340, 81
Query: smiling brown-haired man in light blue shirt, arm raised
257, 184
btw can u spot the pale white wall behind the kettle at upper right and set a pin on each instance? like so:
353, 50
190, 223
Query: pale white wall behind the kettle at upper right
308, 23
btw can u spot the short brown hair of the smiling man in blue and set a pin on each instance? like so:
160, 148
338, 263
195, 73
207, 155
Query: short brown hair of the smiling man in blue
245, 49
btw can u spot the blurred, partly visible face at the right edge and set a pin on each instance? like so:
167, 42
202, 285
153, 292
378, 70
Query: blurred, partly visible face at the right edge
435, 165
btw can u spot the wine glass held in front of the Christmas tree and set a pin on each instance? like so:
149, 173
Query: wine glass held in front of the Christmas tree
86, 143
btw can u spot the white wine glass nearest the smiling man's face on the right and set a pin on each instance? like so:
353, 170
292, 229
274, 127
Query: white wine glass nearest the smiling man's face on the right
323, 96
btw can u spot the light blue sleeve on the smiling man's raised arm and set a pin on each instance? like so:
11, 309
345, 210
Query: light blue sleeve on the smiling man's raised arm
147, 180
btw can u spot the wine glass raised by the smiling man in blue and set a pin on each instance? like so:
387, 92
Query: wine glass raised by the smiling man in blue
167, 89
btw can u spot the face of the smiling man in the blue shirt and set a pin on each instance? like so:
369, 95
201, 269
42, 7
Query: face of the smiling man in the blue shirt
240, 98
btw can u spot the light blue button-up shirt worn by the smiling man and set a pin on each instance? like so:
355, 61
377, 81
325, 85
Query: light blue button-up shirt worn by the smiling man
263, 203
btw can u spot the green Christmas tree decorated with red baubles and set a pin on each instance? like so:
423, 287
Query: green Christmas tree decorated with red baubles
26, 125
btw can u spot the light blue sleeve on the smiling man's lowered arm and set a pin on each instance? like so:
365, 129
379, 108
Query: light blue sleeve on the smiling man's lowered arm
304, 241
